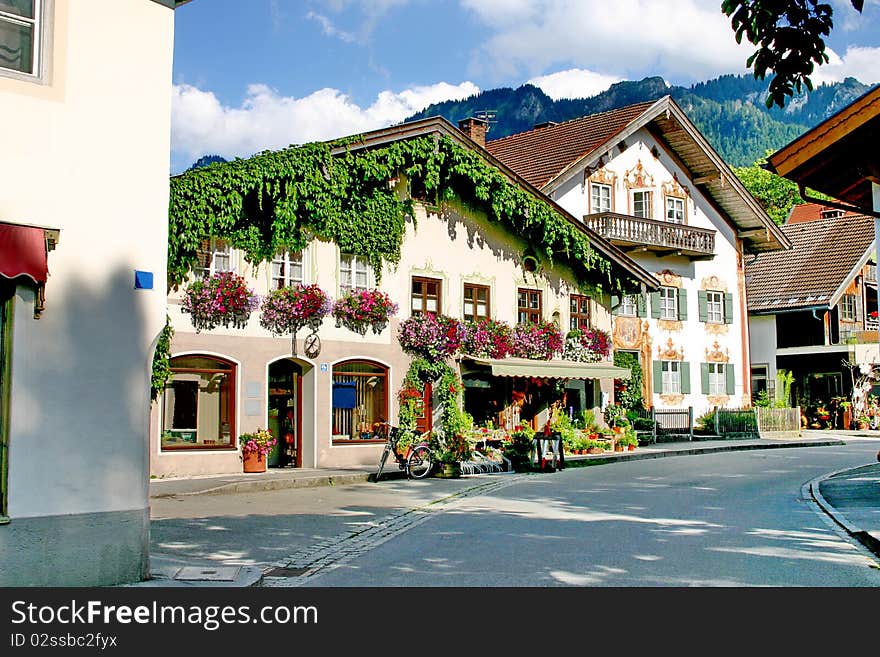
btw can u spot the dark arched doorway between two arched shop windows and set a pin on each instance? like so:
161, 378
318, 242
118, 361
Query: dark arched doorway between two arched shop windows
285, 413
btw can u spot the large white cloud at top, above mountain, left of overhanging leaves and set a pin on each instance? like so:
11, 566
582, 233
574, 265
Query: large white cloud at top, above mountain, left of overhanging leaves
678, 39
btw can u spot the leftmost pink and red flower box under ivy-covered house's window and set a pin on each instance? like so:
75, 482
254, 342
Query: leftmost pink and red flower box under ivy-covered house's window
223, 299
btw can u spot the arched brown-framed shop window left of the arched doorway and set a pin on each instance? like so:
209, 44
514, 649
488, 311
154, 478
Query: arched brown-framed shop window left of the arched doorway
198, 410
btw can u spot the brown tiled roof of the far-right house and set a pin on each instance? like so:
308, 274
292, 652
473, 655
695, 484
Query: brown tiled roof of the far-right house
823, 253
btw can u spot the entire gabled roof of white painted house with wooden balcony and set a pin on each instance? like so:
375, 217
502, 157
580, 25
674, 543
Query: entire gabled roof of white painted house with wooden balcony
549, 156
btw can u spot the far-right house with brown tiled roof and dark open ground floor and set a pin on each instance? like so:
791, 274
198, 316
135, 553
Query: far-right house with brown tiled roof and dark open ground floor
814, 308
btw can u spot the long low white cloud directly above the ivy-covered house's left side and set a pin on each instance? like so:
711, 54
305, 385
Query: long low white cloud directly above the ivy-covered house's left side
201, 124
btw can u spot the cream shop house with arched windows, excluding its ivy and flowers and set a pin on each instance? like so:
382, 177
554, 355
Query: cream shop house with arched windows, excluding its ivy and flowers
454, 260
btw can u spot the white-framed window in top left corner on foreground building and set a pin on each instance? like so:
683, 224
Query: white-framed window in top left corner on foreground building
21, 36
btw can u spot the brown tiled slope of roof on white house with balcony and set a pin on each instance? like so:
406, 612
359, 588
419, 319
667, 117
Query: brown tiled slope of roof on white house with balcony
541, 154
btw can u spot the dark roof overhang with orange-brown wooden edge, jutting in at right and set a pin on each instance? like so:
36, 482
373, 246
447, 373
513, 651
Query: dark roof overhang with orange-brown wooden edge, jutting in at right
839, 156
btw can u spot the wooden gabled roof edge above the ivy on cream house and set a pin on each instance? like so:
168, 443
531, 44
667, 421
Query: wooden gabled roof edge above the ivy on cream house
439, 126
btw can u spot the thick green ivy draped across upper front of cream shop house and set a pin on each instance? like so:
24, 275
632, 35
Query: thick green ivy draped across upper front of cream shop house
326, 190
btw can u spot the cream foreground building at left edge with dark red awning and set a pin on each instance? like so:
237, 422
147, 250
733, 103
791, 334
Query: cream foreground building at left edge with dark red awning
85, 103
